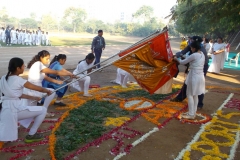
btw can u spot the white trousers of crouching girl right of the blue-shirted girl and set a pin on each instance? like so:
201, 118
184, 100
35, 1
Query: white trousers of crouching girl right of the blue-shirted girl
82, 84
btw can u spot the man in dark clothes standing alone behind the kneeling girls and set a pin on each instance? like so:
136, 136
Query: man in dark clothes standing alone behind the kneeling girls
98, 45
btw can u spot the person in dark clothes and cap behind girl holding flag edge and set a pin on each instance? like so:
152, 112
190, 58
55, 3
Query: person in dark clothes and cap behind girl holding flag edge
182, 95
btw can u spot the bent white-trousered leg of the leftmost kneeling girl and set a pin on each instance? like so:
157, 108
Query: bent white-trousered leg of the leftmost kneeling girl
39, 116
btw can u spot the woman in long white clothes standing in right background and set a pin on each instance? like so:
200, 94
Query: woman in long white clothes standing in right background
218, 56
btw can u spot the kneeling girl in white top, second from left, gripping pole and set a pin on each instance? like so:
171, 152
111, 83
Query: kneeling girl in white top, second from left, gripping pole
37, 71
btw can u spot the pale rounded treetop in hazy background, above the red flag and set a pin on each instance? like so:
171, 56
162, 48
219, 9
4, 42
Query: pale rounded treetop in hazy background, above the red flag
144, 12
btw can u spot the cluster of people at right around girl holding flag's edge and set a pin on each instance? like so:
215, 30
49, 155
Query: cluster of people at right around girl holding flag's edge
195, 56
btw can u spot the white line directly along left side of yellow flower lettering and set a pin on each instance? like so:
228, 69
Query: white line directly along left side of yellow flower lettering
202, 129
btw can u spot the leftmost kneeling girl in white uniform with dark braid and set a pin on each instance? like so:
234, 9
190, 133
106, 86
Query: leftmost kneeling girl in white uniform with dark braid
12, 110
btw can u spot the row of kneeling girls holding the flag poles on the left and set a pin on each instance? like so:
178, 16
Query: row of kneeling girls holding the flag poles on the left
22, 100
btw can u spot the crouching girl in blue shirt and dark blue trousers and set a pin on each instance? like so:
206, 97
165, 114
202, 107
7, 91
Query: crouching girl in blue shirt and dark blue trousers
56, 64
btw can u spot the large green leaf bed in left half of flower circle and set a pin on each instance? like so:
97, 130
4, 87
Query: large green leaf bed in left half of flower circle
85, 124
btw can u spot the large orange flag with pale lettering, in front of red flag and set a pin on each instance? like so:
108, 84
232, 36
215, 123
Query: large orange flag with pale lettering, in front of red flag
150, 73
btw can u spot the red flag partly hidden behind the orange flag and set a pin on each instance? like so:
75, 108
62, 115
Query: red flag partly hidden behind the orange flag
159, 44
